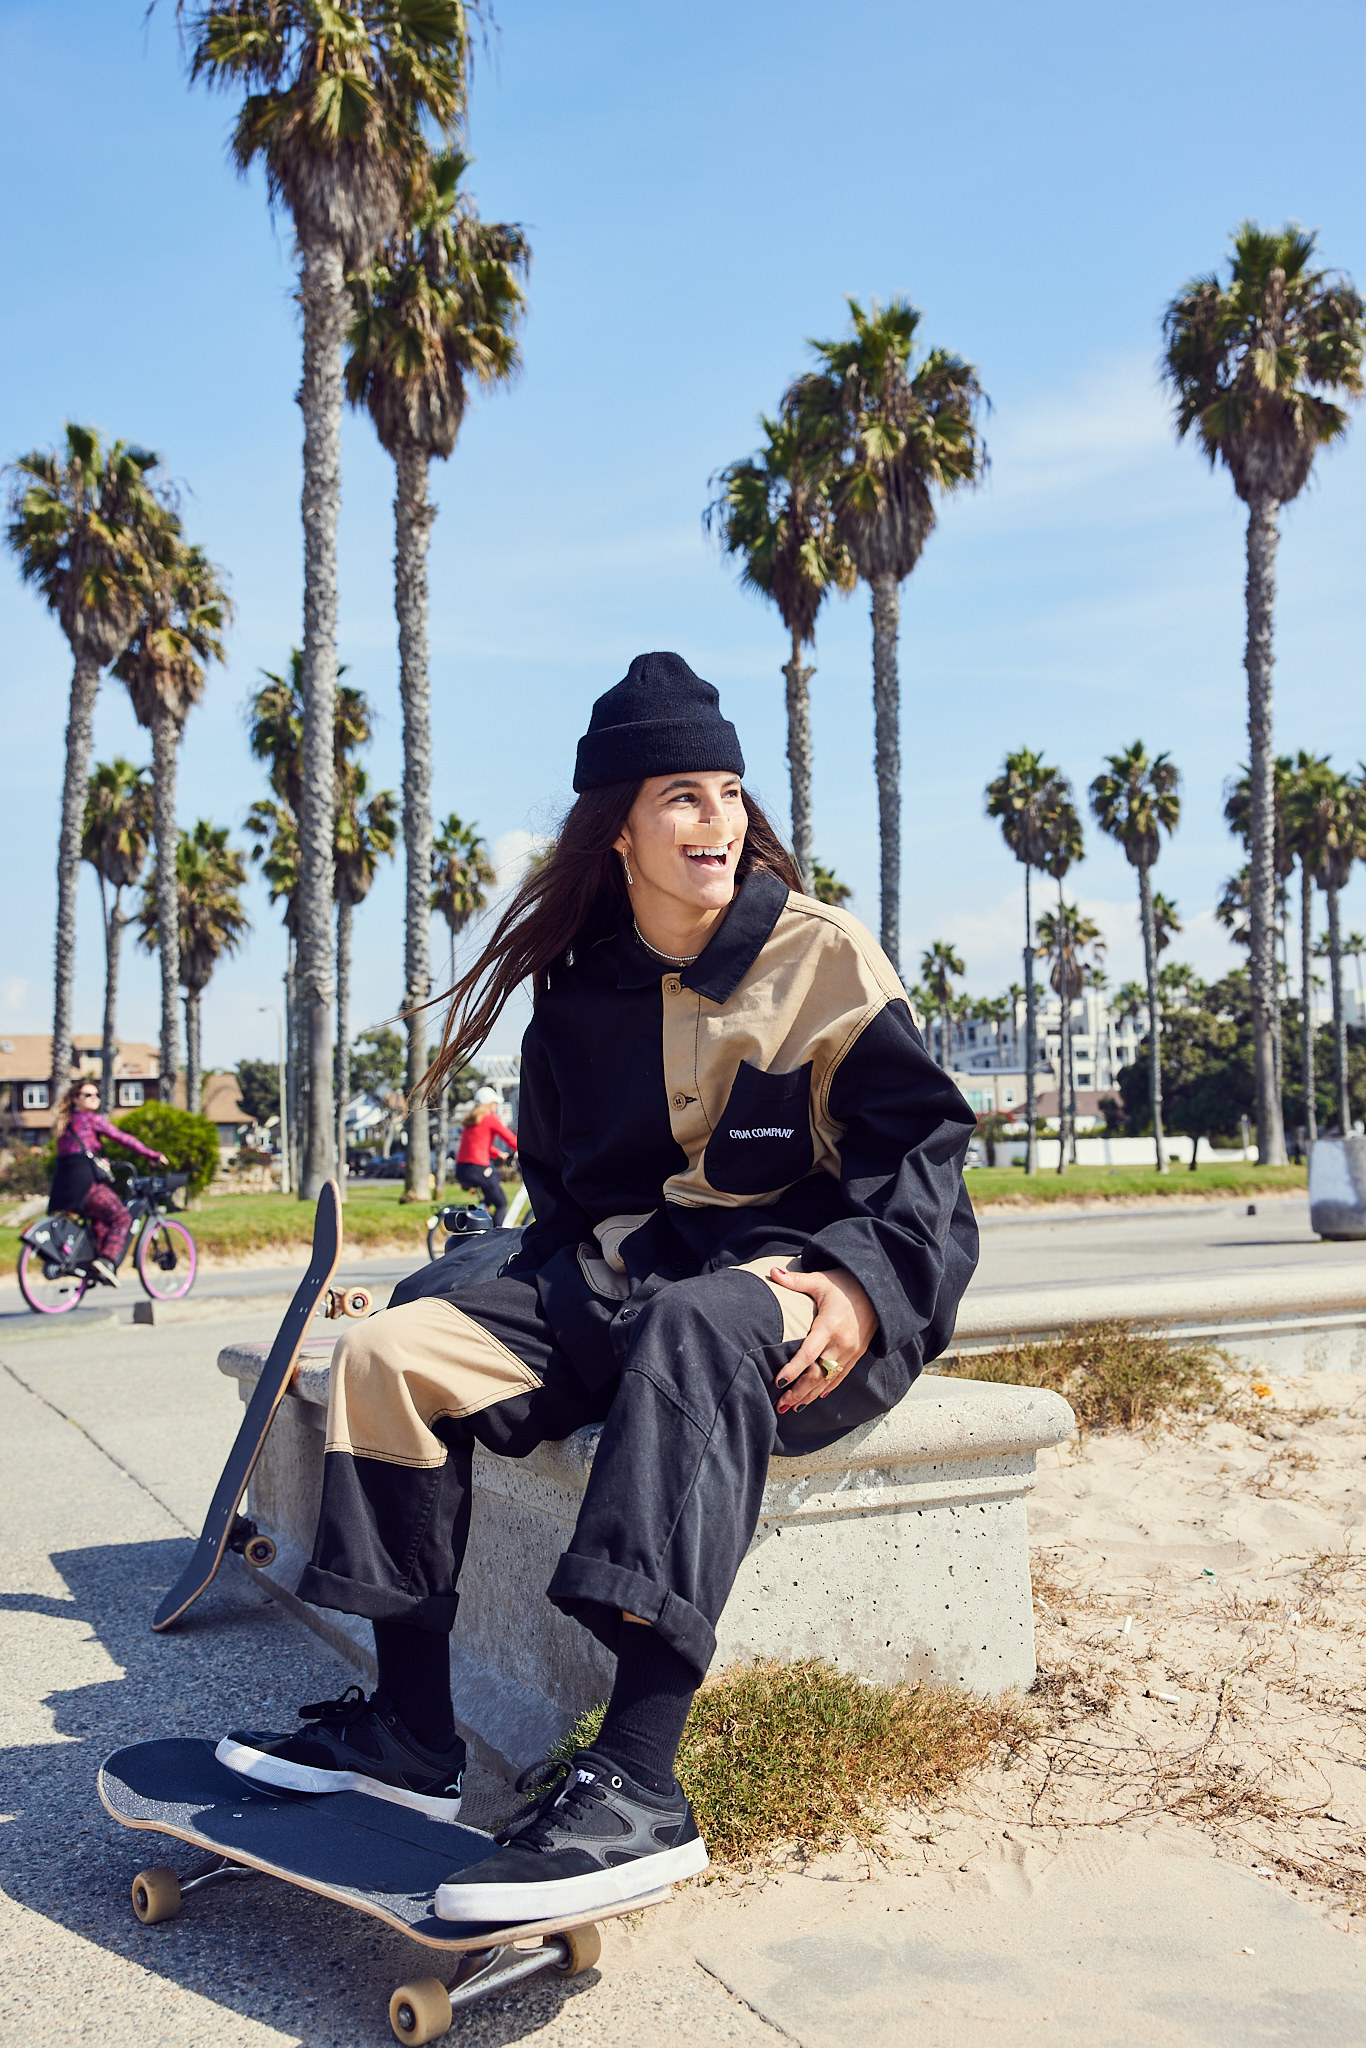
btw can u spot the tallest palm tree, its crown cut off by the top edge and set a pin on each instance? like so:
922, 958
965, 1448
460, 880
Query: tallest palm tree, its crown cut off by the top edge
335, 108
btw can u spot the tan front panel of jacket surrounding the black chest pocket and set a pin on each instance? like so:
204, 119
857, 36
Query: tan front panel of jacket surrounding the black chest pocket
810, 994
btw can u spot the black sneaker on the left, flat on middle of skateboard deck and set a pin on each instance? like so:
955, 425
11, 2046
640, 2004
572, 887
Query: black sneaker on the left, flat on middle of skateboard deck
351, 1746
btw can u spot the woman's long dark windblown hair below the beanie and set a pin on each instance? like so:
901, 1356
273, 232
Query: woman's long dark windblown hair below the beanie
568, 902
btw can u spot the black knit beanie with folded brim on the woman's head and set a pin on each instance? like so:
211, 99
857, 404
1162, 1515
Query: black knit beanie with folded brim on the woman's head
658, 720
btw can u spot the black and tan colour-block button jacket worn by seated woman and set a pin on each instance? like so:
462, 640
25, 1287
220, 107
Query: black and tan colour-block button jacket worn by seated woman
771, 1099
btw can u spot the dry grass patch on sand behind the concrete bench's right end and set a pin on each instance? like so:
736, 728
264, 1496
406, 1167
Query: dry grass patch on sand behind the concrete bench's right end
1111, 1373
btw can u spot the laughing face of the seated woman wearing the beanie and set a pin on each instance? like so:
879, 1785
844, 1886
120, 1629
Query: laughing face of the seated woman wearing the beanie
683, 841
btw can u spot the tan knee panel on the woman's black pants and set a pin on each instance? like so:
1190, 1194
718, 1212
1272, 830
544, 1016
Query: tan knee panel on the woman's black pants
411, 1367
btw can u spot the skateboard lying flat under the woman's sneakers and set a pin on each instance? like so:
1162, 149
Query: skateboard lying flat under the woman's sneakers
345, 1846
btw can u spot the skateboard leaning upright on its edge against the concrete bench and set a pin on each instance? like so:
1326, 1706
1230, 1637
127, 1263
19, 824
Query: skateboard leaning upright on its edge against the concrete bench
224, 1527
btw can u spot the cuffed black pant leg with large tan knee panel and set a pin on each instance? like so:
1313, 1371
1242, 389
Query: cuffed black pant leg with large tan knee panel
409, 1388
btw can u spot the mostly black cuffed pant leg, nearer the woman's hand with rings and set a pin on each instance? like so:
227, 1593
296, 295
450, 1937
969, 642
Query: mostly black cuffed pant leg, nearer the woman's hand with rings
679, 1478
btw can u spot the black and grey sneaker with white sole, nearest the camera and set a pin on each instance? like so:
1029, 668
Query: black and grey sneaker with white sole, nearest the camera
591, 1842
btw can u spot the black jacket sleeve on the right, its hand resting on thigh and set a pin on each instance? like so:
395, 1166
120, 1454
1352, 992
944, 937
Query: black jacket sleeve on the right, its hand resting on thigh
910, 1236
